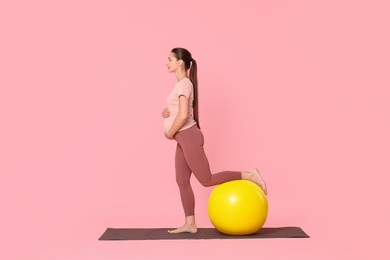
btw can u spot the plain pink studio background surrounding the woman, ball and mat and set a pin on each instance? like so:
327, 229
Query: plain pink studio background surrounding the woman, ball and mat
299, 89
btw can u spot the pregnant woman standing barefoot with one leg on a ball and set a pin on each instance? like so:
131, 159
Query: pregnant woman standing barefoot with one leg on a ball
181, 123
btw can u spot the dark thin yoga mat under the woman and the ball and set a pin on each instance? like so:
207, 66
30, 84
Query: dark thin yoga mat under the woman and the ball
203, 233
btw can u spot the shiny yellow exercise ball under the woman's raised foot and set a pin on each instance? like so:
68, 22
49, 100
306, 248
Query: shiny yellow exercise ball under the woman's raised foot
238, 207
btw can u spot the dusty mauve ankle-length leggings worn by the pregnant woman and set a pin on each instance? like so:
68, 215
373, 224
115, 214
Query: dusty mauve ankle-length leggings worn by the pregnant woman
190, 157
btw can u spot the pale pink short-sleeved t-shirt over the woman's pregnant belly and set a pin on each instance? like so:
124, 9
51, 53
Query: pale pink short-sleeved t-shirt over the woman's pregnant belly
183, 87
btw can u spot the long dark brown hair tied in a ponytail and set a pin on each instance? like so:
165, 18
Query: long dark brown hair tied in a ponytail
190, 64
